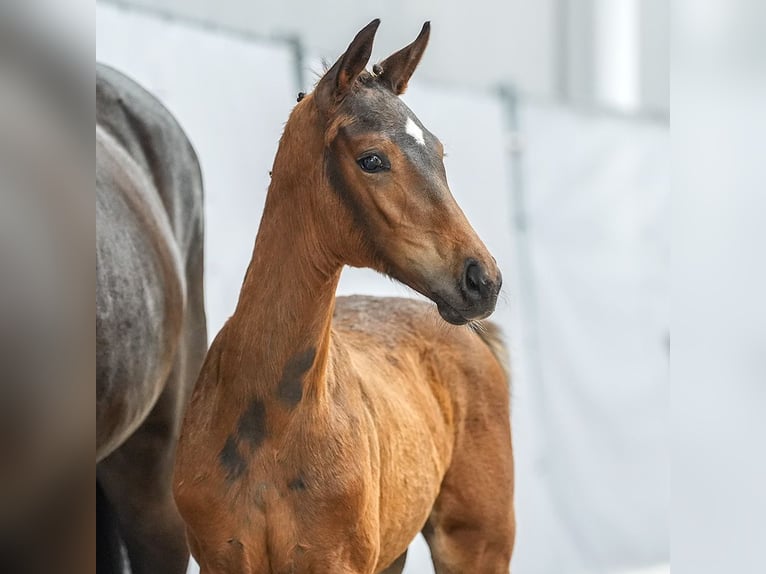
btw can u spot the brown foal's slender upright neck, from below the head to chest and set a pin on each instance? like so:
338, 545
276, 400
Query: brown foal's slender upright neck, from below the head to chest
279, 335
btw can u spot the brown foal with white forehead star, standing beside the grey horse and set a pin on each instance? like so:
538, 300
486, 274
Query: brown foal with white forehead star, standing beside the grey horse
323, 435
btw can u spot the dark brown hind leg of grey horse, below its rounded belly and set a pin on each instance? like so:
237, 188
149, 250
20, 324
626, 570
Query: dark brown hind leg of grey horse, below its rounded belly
137, 477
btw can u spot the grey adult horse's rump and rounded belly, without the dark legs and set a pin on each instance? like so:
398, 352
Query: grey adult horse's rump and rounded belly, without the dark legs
148, 236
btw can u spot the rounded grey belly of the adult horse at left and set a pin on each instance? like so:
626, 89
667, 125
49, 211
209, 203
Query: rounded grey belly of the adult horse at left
139, 305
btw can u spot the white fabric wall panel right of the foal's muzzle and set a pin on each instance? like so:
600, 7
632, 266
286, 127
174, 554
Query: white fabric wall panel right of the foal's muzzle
596, 193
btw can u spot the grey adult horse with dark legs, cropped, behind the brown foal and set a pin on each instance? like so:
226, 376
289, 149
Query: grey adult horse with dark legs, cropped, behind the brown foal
150, 321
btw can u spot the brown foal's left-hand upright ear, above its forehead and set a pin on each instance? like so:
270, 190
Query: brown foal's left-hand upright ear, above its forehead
338, 80
